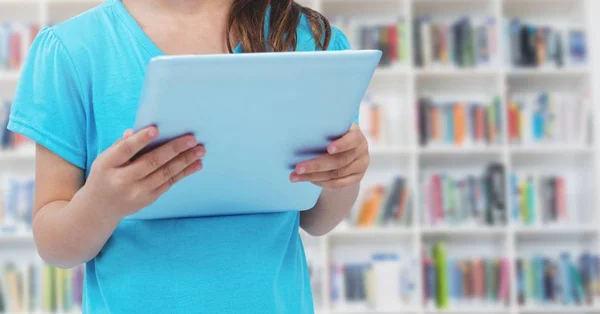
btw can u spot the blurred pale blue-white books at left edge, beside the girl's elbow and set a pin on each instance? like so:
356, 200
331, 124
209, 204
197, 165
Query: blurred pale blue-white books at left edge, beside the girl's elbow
16, 203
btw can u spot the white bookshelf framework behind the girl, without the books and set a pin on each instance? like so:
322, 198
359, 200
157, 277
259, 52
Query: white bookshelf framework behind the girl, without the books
401, 85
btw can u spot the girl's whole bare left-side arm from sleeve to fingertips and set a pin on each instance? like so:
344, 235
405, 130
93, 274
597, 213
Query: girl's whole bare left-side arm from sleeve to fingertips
72, 220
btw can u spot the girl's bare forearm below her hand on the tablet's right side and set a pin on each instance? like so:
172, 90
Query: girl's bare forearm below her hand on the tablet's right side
331, 208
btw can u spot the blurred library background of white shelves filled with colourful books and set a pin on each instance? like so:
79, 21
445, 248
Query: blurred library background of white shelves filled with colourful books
480, 197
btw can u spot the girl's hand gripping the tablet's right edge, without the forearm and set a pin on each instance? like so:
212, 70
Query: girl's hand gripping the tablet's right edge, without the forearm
344, 165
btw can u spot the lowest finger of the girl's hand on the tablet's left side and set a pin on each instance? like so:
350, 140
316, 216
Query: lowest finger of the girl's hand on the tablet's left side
168, 172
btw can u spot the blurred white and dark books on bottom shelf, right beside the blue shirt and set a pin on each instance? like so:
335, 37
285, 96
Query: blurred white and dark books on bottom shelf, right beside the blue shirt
385, 282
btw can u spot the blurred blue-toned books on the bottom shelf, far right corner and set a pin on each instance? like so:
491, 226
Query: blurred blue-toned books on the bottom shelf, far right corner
543, 280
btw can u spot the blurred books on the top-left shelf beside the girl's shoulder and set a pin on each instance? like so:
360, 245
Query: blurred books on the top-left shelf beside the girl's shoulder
15, 40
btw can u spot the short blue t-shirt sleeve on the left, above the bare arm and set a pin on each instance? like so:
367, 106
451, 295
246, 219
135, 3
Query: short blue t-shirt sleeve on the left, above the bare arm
48, 105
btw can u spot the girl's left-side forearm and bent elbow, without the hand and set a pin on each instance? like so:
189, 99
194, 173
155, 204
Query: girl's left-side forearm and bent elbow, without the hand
68, 233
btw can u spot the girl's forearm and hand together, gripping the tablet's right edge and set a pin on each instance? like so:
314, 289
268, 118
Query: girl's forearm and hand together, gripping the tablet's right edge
339, 173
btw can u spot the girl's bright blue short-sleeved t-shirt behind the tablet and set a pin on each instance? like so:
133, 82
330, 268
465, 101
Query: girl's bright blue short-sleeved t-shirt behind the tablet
78, 92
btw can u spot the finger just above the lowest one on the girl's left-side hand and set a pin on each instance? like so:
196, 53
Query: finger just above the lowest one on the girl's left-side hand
151, 161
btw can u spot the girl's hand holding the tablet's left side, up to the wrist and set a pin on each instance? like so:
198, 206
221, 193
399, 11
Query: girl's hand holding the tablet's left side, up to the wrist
123, 187
